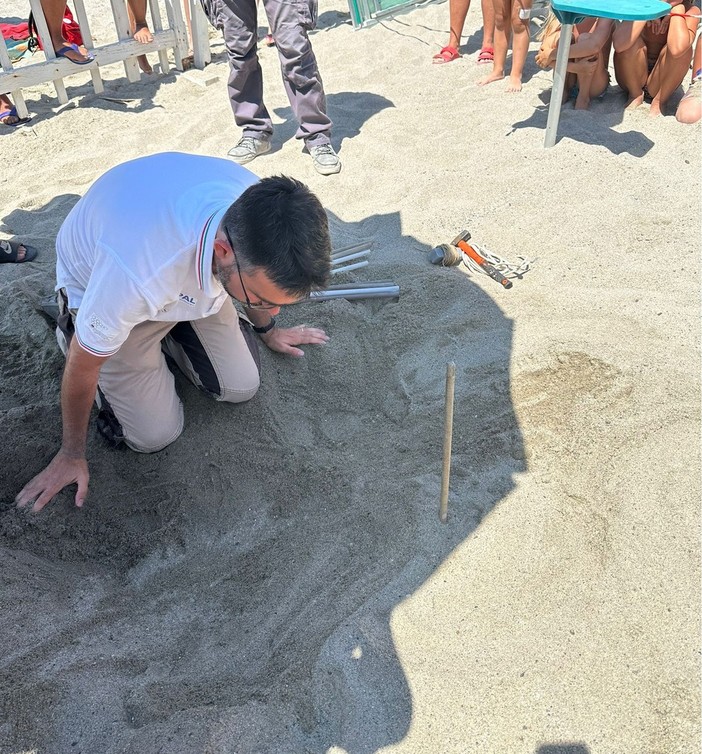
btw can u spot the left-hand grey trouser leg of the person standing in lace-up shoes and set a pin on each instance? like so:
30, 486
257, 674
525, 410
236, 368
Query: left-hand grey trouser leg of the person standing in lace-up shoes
237, 20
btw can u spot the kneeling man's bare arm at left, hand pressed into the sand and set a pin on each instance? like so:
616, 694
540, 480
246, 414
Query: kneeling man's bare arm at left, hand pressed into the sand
68, 466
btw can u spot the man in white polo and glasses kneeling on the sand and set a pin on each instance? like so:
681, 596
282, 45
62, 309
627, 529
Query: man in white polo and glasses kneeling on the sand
148, 261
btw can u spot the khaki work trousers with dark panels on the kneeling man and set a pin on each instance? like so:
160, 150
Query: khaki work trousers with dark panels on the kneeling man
218, 354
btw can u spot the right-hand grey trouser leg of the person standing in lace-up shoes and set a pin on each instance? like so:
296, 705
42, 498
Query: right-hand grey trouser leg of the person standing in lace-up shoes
289, 24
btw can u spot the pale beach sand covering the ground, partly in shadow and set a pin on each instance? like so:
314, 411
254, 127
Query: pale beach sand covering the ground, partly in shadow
277, 581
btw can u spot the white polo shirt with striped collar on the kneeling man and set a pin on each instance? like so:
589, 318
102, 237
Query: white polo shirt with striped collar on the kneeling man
138, 246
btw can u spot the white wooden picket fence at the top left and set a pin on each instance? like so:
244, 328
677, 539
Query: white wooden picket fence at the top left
173, 37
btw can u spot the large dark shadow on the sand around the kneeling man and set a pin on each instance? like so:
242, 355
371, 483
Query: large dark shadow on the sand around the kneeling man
233, 593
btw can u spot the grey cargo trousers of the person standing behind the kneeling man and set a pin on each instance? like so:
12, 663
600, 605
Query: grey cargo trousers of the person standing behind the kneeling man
289, 21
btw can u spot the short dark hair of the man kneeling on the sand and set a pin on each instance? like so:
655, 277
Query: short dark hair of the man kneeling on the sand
280, 226
